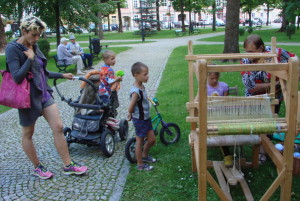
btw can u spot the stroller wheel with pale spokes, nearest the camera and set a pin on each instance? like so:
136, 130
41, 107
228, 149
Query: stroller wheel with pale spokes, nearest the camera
107, 143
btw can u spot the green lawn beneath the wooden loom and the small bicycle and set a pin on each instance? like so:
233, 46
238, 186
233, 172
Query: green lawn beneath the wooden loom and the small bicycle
172, 178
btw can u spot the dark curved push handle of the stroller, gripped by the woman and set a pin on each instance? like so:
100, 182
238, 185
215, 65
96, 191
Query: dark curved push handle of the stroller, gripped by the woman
78, 105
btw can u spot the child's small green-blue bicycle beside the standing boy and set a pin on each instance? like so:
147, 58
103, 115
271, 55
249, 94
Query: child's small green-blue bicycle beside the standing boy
169, 133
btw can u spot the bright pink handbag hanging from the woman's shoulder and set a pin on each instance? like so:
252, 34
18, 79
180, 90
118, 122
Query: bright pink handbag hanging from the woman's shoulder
13, 94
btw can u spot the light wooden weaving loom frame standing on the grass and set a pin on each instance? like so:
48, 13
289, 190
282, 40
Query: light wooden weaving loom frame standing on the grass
198, 138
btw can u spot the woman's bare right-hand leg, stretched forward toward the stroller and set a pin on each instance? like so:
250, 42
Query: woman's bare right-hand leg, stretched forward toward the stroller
52, 116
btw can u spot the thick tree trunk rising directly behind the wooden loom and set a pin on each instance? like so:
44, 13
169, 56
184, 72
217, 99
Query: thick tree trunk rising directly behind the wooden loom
231, 44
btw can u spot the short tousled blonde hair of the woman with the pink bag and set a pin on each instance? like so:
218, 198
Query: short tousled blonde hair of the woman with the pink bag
33, 23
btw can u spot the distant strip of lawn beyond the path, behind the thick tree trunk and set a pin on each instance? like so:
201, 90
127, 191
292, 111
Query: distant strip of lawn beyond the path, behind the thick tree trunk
265, 35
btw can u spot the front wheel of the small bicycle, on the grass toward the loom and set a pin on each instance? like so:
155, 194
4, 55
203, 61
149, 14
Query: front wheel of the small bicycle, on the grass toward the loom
169, 133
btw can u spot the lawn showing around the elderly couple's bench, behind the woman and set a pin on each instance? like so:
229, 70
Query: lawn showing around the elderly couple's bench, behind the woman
52, 67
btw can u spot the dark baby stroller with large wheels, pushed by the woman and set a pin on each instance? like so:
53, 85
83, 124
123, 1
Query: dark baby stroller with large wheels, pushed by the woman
93, 122
